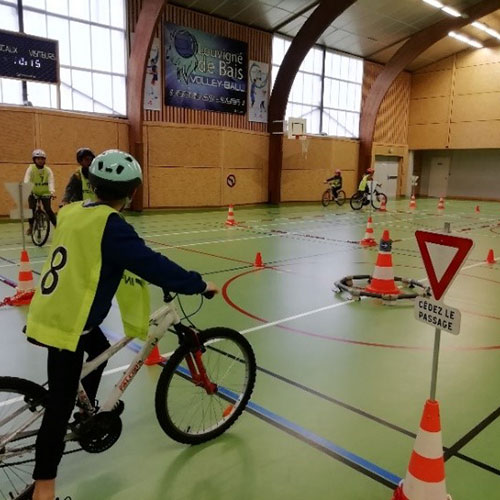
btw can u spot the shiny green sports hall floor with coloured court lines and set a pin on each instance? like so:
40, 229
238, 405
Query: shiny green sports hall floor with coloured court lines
341, 384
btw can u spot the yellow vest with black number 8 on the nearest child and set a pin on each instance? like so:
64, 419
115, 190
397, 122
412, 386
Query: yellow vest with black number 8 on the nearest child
70, 276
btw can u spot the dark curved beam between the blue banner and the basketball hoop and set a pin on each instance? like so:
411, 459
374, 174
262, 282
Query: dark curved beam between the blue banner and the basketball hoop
326, 12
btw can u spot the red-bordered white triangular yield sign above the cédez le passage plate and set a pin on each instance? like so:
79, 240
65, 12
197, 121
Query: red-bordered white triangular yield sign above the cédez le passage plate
443, 256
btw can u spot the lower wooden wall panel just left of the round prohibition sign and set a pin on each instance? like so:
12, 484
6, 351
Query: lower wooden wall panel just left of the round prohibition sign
184, 187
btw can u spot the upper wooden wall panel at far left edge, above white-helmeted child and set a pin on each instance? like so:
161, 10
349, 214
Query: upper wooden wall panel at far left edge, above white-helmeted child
18, 137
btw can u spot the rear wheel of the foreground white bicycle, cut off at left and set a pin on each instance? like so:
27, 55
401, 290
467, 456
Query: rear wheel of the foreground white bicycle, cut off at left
18, 485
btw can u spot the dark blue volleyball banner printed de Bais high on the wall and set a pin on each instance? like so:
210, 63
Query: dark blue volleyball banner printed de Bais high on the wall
204, 71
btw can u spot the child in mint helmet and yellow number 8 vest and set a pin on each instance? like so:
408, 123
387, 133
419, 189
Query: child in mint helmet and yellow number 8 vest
91, 249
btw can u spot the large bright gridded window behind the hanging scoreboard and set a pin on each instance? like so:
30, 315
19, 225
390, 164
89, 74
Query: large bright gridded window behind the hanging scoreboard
92, 53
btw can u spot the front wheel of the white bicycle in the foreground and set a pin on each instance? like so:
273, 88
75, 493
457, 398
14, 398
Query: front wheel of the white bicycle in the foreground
185, 411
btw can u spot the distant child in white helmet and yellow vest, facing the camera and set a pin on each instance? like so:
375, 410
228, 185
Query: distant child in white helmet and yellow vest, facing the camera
42, 178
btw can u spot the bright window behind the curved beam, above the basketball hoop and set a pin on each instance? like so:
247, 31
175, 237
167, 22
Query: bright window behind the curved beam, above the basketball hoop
326, 90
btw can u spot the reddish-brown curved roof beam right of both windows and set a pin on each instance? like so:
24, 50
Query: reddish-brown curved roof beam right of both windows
415, 46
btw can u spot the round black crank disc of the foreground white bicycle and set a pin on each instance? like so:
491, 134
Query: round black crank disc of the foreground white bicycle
100, 433
